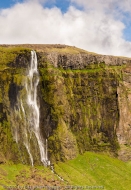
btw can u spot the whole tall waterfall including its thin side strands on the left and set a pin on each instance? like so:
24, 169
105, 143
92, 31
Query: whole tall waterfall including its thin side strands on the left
29, 113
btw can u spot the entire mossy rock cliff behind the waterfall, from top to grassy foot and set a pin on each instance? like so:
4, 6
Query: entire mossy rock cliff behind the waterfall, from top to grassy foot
84, 101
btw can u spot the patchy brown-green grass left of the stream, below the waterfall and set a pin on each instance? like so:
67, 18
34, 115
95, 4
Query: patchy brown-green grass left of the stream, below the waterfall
24, 175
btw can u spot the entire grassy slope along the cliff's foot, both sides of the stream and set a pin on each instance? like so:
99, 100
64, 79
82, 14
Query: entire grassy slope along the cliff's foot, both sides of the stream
90, 169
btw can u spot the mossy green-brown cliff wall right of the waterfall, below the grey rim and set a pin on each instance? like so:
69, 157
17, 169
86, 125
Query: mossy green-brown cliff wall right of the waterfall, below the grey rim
82, 103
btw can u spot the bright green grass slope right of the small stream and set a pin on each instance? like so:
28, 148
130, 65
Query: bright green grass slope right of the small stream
96, 170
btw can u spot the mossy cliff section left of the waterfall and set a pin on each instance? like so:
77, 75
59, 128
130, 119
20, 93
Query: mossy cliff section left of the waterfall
12, 63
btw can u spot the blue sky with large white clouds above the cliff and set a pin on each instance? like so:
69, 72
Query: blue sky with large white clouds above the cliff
101, 26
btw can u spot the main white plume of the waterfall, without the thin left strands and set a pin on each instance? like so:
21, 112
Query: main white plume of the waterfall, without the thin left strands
32, 102
